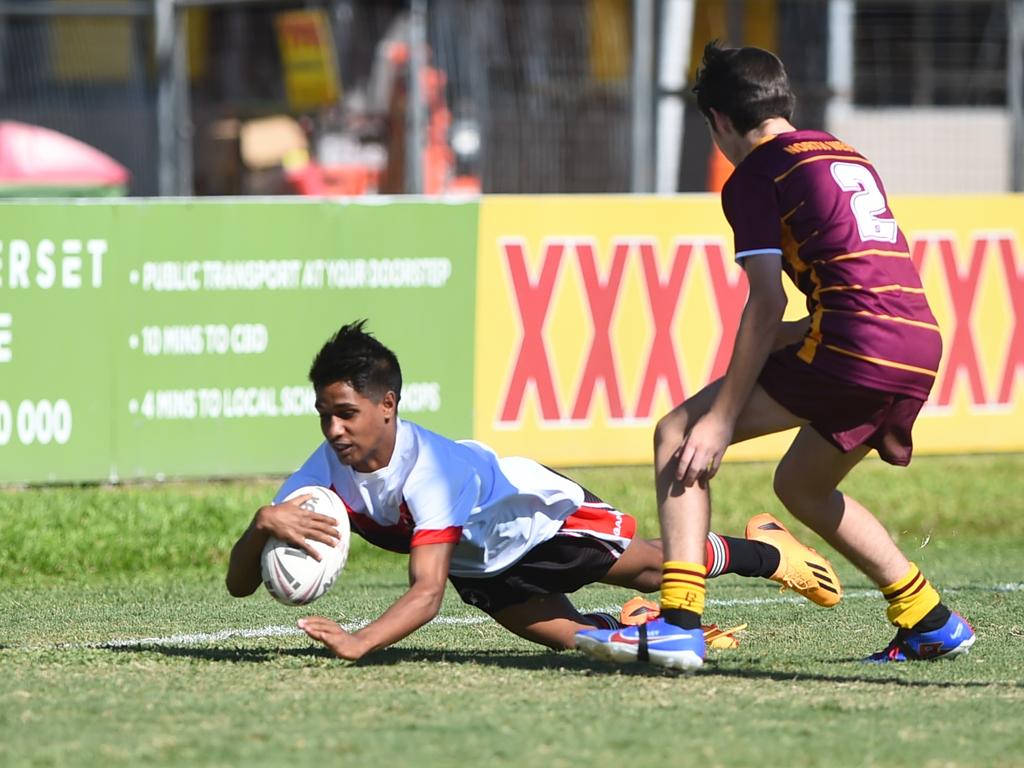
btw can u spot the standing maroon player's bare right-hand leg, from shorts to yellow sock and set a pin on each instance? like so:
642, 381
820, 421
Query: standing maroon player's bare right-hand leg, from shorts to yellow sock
806, 483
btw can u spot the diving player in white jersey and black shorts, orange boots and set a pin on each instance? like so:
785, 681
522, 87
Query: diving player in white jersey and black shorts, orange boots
513, 536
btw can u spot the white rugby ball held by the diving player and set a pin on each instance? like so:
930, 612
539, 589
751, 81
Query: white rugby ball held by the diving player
292, 576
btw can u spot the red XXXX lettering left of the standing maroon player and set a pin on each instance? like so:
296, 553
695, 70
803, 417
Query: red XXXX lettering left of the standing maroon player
664, 287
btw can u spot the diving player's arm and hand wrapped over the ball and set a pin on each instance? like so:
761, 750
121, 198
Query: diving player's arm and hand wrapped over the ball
287, 522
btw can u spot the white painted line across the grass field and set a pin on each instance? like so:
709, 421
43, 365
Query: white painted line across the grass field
205, 638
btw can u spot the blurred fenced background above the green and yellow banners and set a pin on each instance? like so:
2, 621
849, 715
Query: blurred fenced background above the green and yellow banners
352, 98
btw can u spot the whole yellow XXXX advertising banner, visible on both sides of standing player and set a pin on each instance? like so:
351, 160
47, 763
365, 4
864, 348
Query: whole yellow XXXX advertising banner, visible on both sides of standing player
596, 315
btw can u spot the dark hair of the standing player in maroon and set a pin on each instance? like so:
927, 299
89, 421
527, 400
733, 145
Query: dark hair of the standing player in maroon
750, 86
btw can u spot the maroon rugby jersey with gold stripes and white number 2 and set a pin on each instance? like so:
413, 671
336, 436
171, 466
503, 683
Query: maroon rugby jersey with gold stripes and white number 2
820, 203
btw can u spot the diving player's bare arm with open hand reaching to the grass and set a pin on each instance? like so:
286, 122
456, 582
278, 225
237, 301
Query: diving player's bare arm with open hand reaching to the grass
429, 570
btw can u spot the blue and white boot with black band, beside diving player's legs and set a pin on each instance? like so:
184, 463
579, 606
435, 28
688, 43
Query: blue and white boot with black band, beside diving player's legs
657, 642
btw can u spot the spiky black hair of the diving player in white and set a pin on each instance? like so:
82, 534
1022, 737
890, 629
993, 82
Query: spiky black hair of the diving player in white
356, 357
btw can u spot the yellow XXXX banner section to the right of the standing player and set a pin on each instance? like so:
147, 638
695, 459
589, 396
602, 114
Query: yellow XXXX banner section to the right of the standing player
970, 252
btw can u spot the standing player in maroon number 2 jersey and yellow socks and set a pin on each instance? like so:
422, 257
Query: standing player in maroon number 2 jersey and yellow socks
852, 375
